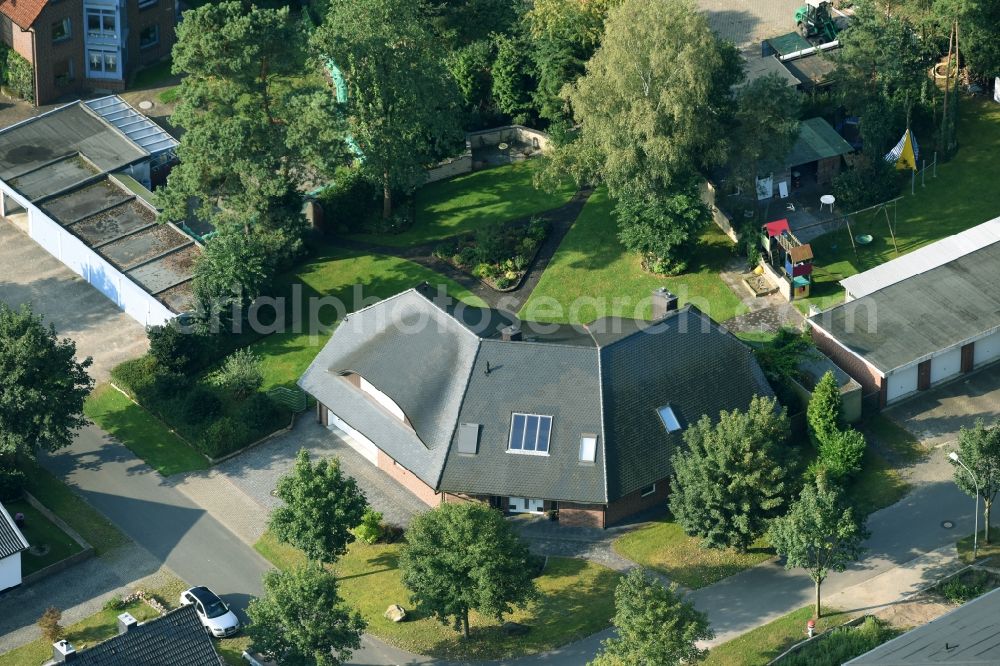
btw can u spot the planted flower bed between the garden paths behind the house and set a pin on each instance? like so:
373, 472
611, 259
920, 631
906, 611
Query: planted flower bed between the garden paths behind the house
497, 255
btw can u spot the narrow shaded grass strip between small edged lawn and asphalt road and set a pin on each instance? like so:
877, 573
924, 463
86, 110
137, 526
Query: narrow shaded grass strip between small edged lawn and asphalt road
60, 500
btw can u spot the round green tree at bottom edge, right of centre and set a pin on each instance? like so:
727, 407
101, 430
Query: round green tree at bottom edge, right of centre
654, 624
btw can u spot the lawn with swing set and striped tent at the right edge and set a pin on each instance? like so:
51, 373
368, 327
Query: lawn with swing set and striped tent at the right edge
963, 195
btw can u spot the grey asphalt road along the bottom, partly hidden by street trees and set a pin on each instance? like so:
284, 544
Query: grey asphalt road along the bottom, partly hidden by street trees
201, 550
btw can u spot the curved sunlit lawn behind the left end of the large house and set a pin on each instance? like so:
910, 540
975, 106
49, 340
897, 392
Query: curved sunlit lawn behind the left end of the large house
346, 281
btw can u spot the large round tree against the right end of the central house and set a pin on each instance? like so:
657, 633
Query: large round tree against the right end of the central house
731, 479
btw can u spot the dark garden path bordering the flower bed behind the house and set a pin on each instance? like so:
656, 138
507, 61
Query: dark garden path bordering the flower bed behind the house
560, 221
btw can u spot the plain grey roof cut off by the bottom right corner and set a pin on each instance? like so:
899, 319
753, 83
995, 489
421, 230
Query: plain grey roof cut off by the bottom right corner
968, 635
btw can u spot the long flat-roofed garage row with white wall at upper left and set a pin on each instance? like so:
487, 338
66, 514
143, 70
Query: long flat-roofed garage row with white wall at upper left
76, 180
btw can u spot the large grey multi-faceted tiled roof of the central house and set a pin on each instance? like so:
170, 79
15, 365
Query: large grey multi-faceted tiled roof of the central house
606, 380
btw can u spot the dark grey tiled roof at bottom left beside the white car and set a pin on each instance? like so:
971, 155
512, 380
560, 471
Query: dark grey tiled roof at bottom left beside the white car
175, 639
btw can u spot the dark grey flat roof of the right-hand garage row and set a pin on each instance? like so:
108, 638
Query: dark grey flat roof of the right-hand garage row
908, 321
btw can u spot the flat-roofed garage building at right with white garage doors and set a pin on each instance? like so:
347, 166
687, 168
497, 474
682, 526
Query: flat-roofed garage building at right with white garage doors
920, 323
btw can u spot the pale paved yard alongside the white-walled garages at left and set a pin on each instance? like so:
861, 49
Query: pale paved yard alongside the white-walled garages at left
30, 274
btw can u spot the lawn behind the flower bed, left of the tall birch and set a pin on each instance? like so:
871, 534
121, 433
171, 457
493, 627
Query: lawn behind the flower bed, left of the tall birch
462, 204
